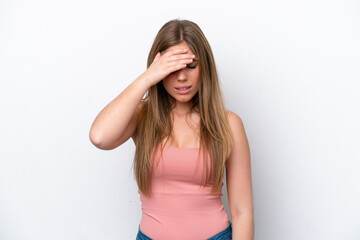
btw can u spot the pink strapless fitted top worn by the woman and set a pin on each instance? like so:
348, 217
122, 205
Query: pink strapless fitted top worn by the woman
179, 208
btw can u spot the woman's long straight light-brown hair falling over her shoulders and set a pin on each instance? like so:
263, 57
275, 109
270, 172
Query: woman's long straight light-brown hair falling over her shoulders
154, 123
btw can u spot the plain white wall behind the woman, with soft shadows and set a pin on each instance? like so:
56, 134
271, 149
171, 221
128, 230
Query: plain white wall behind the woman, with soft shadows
289, 69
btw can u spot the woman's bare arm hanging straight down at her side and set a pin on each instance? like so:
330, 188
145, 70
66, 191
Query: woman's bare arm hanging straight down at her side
238, 182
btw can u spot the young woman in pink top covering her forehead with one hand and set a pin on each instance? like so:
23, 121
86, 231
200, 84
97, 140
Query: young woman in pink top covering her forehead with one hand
185, 139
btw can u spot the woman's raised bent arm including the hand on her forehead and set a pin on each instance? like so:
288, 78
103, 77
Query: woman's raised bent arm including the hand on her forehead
116, 123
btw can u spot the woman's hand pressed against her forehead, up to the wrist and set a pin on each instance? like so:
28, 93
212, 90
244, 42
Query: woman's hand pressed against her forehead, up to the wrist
167, 63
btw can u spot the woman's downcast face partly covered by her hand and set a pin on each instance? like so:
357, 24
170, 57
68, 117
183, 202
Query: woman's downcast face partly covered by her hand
185, 77
